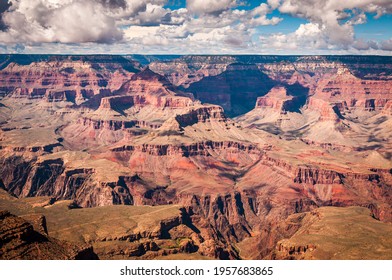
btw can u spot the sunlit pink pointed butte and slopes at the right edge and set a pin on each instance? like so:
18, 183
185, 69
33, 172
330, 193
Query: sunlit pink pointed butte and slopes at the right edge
342, 112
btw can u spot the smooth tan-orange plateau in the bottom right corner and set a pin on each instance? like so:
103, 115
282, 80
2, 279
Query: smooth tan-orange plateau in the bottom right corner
336, 233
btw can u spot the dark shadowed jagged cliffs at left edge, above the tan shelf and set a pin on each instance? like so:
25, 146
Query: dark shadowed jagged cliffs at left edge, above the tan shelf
52, 178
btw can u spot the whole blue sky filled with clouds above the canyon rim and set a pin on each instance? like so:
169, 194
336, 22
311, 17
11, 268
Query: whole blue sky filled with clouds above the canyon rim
196, 26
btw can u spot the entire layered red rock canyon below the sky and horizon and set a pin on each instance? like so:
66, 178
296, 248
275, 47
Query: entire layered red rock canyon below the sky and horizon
195, 157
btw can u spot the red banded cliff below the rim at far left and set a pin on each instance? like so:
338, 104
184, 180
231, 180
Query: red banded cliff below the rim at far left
61, 80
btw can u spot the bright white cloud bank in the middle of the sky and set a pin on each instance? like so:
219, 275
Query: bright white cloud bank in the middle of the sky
230, 30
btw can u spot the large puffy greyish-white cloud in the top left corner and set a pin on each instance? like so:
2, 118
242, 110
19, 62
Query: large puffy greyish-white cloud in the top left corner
37, 21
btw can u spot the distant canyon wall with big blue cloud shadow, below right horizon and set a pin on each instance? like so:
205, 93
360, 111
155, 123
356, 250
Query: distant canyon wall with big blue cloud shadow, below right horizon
212, 79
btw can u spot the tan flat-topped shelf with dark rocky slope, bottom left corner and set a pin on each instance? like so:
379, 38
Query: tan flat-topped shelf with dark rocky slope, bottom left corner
139, 232
